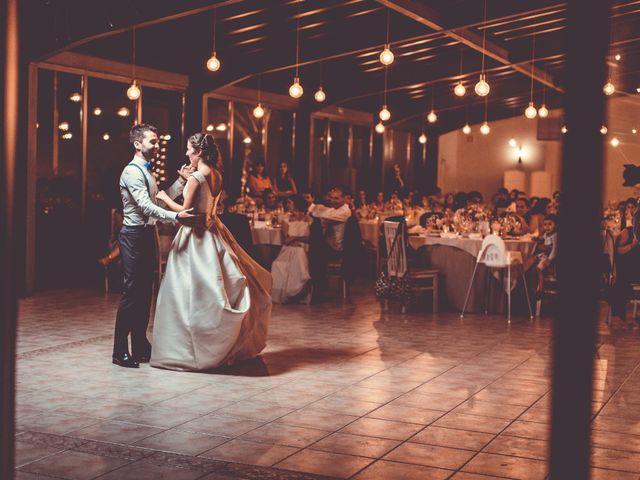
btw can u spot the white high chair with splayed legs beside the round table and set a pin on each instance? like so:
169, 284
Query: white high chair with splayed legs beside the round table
494, 254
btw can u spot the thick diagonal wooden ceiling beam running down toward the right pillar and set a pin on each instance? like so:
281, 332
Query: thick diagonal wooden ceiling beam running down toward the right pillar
425, 15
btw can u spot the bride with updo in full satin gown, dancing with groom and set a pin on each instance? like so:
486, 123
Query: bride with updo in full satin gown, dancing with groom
213, 307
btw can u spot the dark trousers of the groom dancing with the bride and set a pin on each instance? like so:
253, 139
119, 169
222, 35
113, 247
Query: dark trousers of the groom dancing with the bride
137, 249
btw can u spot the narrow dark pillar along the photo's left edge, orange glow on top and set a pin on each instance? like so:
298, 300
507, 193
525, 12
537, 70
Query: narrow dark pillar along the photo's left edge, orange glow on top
8, 147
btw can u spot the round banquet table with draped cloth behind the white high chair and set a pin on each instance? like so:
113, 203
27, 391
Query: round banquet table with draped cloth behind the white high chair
455, 258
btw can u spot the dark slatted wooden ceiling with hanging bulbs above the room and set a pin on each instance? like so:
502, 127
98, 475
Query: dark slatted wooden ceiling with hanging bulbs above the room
436, 44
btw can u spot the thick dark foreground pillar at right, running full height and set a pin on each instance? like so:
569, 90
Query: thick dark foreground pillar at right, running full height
576, 320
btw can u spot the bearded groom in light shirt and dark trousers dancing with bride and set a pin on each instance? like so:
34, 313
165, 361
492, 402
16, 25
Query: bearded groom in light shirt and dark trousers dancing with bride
138, 189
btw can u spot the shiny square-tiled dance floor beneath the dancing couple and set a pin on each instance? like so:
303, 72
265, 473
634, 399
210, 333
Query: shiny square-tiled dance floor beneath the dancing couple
343, 390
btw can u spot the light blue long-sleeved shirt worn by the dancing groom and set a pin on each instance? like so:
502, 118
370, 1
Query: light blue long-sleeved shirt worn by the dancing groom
140, 206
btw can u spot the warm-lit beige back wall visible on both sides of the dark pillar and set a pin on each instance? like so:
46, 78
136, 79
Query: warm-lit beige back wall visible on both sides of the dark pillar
478, 162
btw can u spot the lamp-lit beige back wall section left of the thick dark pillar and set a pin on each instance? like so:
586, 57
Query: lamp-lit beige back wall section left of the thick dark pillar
478, 162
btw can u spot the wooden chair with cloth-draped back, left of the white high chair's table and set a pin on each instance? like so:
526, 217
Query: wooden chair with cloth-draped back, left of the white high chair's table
421, 280
